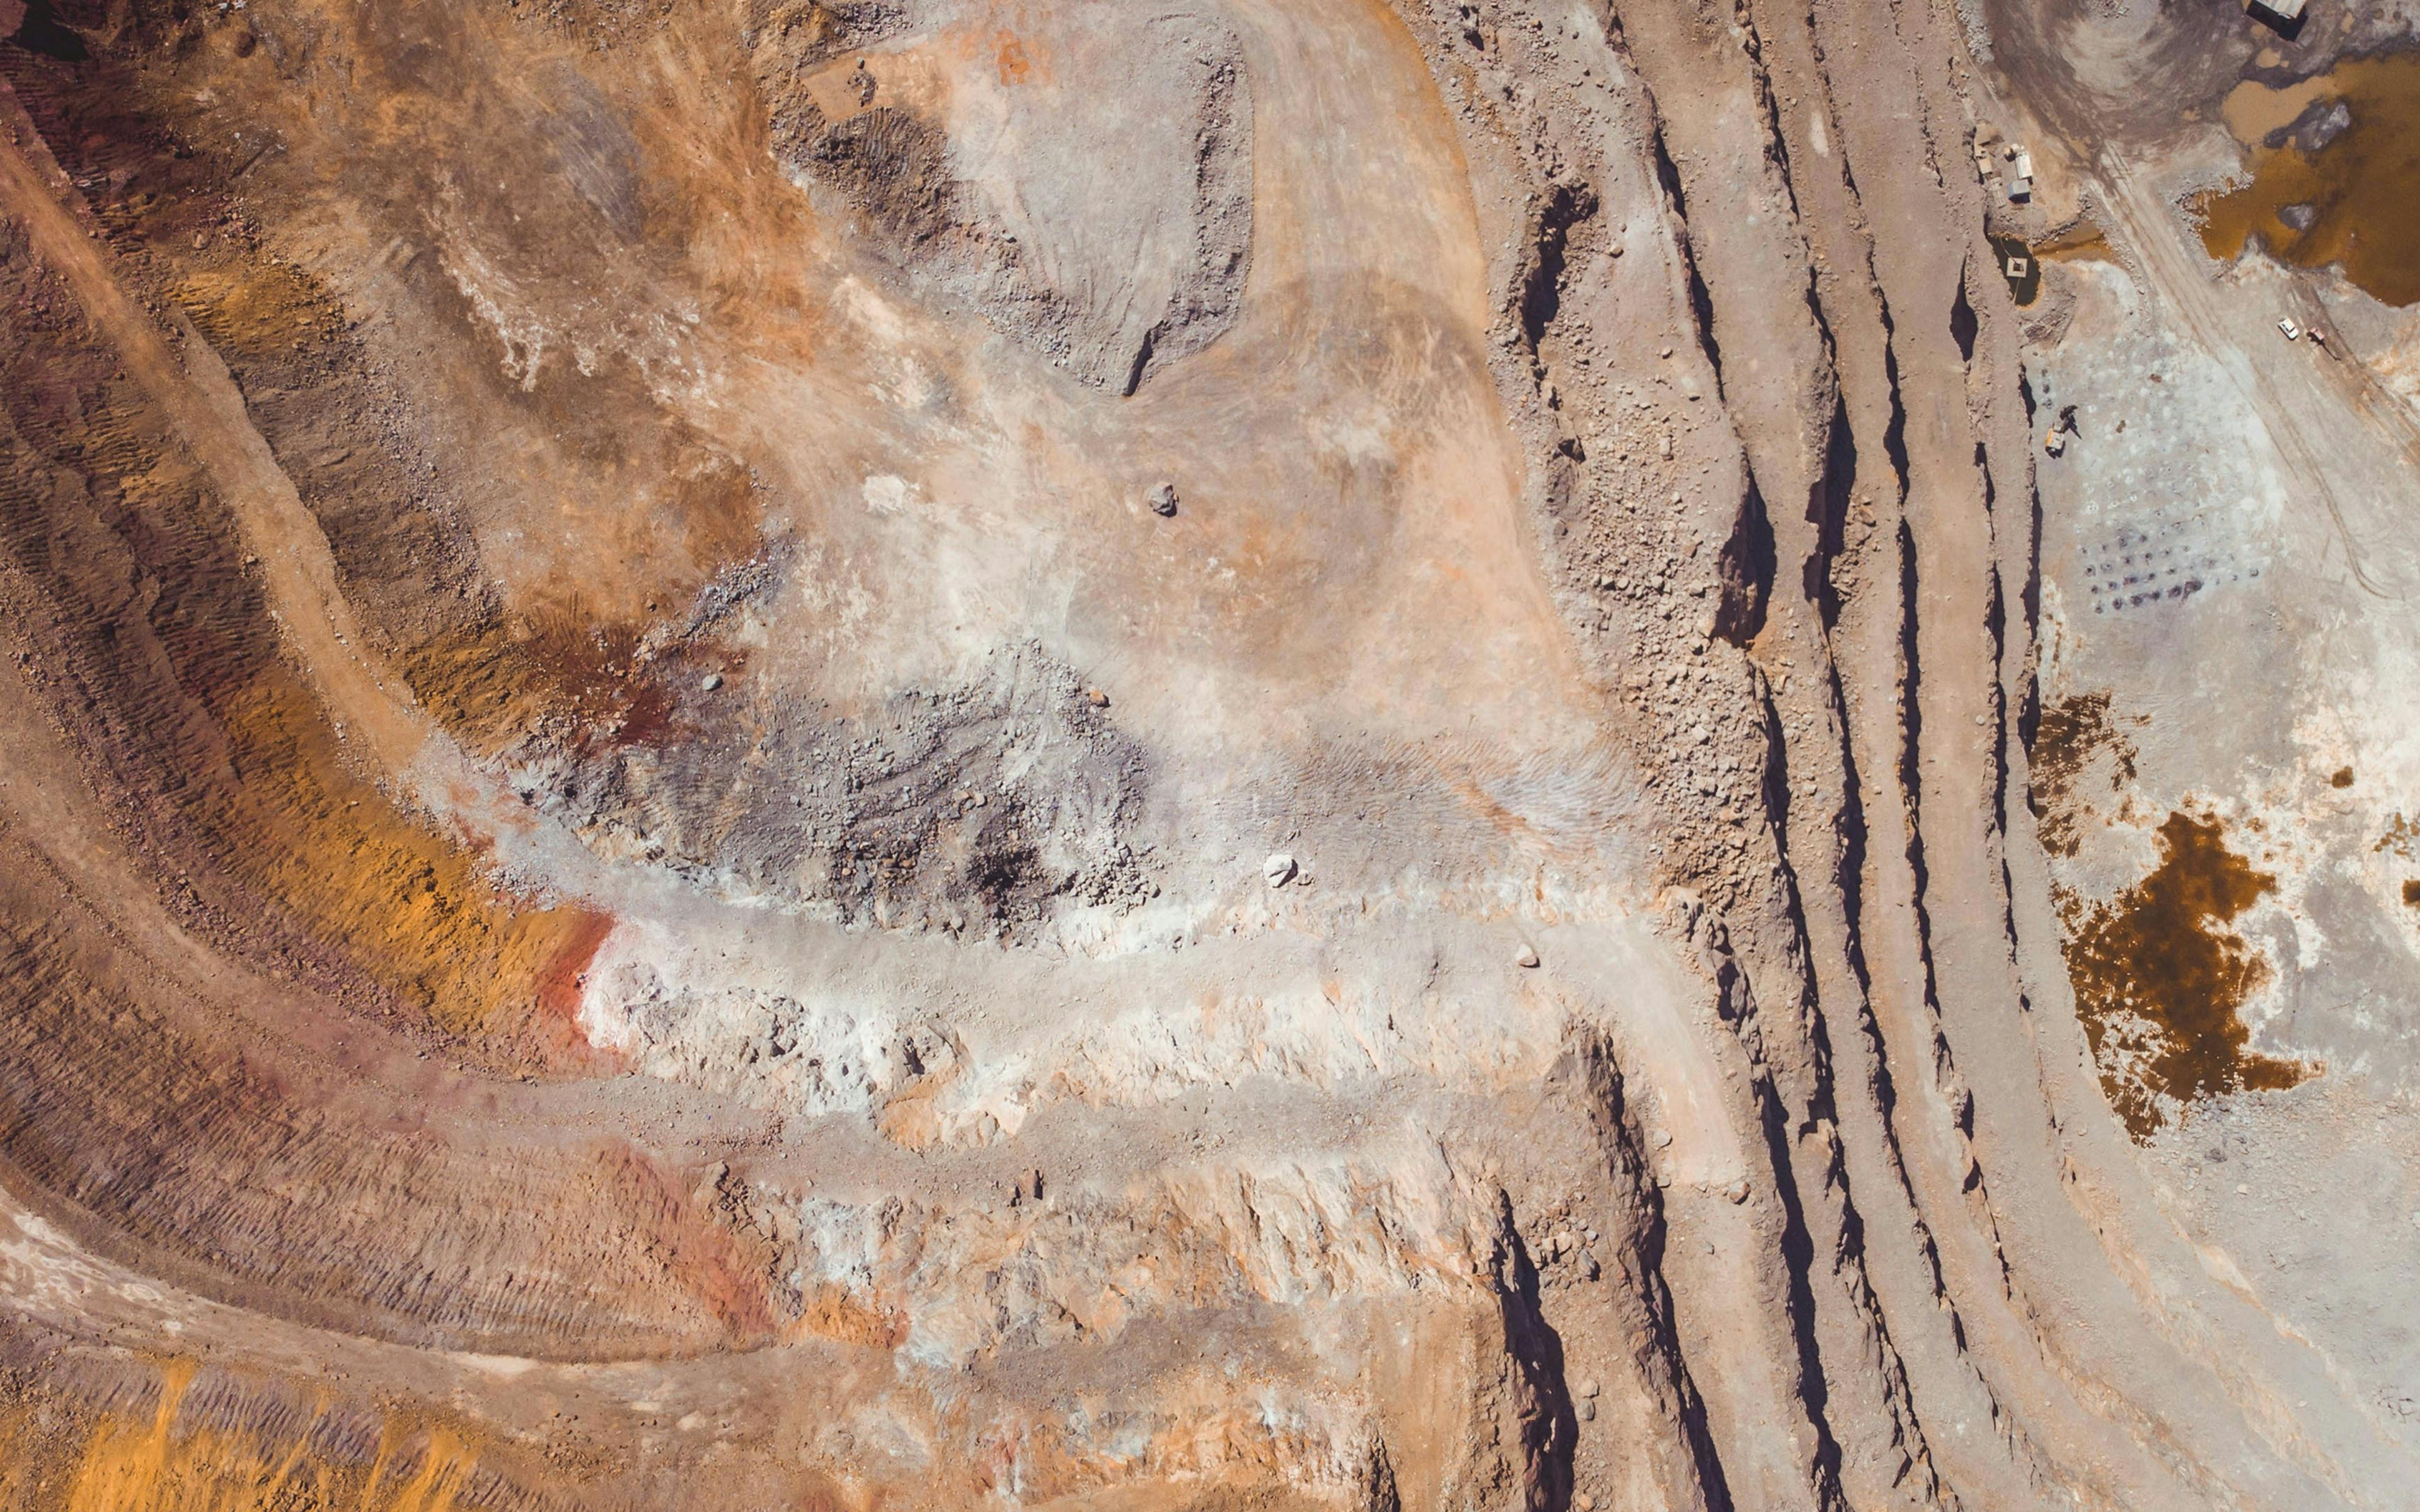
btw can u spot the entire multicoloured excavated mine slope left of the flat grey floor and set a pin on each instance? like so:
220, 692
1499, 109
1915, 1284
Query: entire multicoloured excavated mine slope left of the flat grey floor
974, 754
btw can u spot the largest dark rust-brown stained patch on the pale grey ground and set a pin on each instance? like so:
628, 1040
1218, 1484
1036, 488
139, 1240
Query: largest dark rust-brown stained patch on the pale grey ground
2160, 981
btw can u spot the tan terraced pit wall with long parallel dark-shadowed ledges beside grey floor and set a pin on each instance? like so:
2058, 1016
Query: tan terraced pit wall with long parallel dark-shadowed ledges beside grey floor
1898, 988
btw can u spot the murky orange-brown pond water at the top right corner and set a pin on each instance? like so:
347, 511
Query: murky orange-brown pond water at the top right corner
2363, 190
